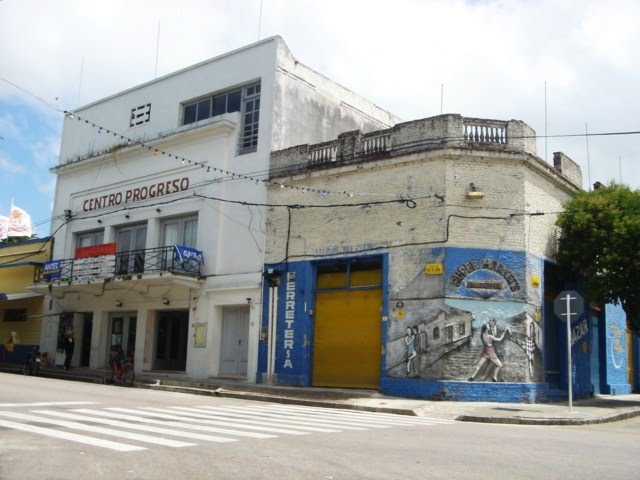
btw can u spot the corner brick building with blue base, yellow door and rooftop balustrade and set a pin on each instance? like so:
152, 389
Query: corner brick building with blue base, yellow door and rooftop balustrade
416, 260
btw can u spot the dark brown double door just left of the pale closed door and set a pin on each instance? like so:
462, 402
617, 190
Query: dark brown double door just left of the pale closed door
171, 340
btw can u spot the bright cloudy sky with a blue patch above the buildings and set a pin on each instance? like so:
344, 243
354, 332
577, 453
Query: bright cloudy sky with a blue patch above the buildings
565, 67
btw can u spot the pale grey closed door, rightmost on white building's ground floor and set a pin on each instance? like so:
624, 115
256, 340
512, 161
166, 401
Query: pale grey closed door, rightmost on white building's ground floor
235, 341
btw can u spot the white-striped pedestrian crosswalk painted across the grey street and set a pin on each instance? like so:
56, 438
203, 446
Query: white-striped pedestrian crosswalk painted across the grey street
139, 428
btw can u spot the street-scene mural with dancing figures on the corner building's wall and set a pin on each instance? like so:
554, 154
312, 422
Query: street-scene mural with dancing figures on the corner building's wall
481, 334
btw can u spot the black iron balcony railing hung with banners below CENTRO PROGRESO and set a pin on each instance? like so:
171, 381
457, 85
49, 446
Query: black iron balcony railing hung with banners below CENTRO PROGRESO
168, 259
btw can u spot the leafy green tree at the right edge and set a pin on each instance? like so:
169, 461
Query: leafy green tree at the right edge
600, 241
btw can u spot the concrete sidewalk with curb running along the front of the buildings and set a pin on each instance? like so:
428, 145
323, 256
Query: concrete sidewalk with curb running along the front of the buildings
599, 409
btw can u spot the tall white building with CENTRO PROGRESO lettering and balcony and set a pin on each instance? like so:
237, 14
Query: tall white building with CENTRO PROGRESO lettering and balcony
159, 216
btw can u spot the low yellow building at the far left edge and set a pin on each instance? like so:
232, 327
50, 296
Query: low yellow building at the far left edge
21, 319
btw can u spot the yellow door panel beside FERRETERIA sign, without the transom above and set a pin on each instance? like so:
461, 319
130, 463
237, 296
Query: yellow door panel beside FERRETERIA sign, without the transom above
347, 338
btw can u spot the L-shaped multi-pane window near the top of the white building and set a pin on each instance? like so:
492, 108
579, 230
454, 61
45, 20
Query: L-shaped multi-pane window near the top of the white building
245, 100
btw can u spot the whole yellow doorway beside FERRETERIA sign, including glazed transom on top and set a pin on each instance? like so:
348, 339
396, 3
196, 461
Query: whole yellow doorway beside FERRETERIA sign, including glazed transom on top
348, 332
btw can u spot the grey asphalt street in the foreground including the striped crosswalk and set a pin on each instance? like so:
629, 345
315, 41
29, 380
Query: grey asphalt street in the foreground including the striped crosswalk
57, 429
